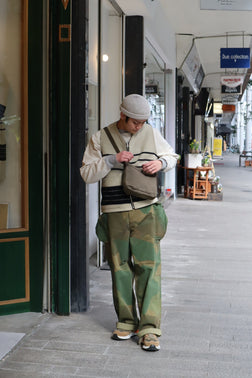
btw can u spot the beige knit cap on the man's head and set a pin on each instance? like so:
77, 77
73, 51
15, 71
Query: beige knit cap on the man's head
136, 107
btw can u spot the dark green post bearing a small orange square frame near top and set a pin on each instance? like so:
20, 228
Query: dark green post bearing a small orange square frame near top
60, 39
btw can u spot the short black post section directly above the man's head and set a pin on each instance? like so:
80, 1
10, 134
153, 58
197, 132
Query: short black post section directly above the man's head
134, 55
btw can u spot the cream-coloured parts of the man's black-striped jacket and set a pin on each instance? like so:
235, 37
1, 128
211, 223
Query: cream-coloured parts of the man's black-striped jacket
95, 168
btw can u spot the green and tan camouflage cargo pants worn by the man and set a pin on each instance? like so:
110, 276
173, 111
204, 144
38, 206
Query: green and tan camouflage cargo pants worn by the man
134, 258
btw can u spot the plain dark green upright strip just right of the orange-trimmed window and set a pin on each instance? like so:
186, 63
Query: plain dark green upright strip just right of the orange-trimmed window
35, 137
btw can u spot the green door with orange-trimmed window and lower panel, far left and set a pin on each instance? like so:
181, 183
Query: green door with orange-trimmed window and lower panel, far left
21, 157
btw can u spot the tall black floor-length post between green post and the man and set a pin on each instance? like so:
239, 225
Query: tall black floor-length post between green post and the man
79, 111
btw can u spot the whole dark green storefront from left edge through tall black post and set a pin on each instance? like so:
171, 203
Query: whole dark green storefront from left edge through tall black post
40, 187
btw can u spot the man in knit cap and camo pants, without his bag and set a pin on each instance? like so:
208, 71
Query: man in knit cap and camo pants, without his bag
133, 233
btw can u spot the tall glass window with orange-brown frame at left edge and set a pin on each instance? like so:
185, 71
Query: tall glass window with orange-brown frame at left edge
13, 100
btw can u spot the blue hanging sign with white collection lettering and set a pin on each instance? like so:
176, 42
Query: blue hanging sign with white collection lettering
235, 57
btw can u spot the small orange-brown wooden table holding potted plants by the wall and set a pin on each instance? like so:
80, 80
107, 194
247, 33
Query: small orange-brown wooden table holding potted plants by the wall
197, 187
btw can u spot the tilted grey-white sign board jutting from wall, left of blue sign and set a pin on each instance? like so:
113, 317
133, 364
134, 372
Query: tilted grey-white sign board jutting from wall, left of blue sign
193, 69
